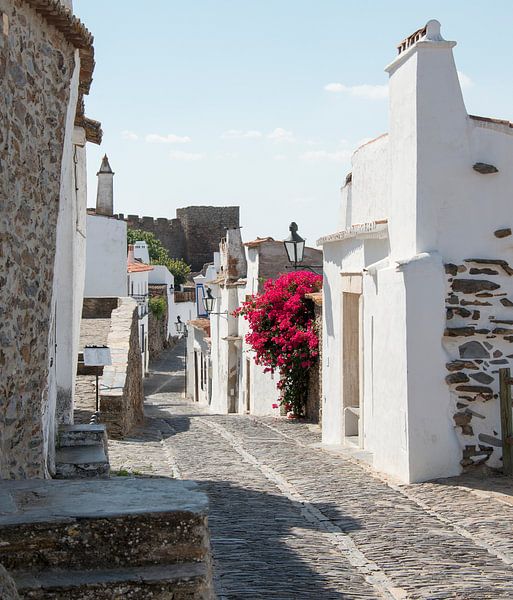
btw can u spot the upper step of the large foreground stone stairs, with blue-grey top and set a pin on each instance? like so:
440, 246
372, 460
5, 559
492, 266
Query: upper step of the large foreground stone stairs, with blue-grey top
95, 524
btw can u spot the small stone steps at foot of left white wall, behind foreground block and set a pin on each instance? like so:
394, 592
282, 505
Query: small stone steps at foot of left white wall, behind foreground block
82, 452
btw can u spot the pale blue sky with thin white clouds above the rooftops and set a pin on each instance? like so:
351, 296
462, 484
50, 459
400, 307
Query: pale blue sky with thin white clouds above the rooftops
260, 103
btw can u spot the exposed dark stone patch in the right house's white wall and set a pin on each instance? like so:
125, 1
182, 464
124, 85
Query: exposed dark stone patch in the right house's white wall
479, 341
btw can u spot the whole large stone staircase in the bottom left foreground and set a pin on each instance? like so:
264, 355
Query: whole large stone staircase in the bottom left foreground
133, 538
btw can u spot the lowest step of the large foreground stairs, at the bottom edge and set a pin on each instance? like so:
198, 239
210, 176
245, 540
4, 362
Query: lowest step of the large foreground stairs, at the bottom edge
186, 581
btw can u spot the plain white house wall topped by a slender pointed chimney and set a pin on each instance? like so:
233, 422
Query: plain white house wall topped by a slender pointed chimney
106, 242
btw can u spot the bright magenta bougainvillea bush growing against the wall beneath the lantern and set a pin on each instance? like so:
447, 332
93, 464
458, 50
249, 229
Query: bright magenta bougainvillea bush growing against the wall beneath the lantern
282, 333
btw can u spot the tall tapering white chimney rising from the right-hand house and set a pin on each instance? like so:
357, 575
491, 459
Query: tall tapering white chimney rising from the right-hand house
428, 120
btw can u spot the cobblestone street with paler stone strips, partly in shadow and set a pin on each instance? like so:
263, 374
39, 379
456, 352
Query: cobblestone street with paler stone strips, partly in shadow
291, 520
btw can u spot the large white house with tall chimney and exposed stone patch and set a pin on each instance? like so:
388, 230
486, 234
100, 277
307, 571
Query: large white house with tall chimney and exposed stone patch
417, 286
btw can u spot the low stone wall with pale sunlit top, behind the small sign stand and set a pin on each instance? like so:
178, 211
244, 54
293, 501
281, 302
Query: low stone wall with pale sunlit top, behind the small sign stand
121, 388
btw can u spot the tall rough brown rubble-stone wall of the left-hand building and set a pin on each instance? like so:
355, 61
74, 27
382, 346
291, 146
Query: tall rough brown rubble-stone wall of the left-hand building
36, 67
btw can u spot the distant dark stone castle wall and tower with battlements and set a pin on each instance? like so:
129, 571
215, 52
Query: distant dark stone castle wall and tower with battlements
194, 235
